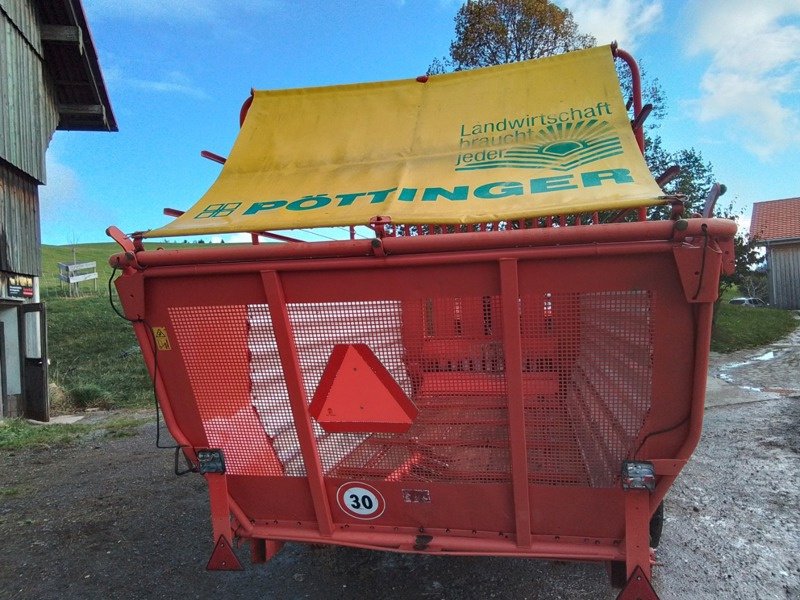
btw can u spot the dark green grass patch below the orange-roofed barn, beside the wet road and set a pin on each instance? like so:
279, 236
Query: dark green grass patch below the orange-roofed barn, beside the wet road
738, 327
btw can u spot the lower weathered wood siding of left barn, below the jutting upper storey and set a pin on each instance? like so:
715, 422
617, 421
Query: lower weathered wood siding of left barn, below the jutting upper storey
20, 237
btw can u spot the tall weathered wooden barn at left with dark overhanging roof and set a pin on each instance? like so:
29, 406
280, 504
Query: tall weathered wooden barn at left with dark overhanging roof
49, 79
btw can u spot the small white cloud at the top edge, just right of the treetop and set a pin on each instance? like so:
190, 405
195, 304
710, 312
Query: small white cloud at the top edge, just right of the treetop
625, 21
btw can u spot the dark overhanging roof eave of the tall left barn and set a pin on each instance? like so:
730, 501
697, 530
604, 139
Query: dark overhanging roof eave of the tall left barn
71, 59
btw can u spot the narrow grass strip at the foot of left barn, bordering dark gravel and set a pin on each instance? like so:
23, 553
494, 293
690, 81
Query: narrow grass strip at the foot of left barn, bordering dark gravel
18, 434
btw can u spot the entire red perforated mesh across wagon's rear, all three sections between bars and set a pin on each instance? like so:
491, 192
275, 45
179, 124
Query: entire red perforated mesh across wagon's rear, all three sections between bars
586, 363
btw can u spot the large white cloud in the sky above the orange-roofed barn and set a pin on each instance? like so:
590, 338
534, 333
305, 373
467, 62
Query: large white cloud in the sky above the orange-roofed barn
753, 76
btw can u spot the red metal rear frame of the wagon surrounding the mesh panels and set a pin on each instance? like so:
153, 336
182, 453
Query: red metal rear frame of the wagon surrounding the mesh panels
596, 258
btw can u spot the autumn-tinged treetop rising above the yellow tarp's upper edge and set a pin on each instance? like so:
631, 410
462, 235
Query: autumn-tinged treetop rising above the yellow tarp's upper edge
492, 32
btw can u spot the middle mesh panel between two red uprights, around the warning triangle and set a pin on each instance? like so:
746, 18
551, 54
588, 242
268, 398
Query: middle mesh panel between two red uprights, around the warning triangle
444, 353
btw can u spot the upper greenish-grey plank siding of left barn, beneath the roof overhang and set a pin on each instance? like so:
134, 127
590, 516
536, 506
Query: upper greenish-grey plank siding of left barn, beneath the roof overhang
29, 114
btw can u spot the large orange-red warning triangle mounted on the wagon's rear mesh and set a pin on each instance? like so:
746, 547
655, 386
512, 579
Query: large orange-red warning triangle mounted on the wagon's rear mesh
357, 394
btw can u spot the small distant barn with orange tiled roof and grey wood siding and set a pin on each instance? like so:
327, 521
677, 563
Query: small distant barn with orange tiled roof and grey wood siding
776, 225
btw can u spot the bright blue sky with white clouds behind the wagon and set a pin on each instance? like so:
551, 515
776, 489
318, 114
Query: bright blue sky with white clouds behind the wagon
177, 72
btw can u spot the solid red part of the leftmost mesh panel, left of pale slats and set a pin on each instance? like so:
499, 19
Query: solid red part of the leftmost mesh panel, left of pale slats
213, 343
